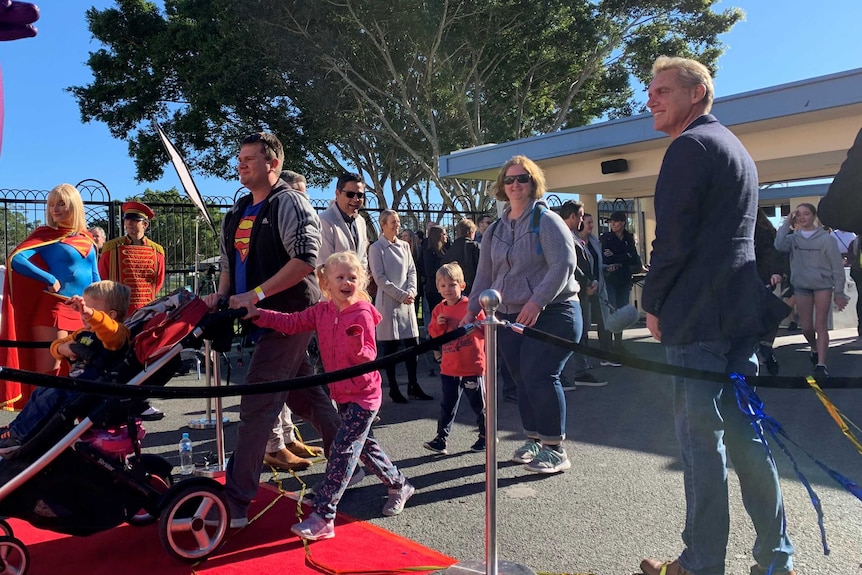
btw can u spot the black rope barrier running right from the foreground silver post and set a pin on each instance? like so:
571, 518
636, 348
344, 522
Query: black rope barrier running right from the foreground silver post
781, 382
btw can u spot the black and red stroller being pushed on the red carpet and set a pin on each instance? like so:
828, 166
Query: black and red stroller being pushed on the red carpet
84, 471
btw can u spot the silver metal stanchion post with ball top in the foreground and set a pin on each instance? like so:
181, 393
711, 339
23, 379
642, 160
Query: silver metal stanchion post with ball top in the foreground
490, 300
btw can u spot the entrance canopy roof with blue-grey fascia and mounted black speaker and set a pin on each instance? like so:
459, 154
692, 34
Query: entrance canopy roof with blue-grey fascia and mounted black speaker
795, 131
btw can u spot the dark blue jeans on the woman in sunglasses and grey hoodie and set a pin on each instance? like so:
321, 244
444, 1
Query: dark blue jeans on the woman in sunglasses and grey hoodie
535, 368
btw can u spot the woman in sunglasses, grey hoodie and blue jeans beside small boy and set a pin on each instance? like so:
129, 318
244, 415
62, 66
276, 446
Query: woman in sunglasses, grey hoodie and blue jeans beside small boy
528, 256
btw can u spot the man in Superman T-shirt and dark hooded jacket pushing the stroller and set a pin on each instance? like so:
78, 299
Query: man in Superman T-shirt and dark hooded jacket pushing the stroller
269, 245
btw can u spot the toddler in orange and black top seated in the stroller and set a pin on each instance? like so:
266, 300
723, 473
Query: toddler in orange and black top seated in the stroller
91, 351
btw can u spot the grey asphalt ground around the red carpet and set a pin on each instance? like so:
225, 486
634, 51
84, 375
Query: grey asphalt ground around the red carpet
623, 498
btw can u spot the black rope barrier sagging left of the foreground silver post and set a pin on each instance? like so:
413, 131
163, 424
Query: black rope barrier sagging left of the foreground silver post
187, 392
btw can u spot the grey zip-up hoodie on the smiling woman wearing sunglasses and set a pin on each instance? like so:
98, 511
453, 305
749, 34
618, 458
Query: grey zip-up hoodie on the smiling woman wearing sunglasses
510, 262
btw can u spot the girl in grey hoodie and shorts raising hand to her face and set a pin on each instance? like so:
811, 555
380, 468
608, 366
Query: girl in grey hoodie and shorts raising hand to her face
817, 275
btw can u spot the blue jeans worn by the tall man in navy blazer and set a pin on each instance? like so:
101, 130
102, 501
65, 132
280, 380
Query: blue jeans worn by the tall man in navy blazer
708, 421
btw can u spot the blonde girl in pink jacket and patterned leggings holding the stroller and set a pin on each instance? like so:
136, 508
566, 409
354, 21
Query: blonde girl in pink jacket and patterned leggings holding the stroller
345, 326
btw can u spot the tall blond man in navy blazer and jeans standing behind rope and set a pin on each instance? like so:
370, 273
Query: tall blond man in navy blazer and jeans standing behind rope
704, 303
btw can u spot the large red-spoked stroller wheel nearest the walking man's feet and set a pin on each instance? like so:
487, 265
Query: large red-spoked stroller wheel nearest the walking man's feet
194, 520
